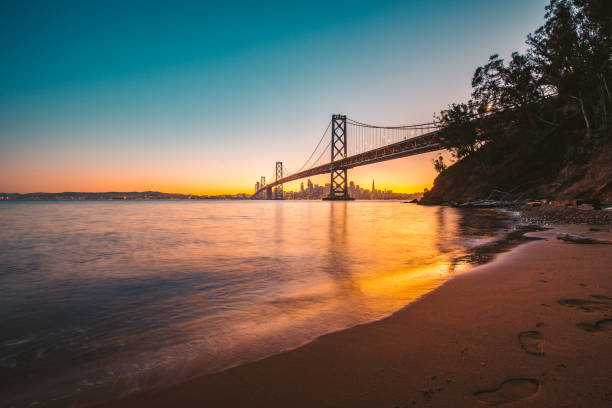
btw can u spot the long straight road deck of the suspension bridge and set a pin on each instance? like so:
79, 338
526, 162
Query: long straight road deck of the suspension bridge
429, 142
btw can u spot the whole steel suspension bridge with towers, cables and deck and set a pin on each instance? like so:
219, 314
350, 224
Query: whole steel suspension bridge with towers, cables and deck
352, 144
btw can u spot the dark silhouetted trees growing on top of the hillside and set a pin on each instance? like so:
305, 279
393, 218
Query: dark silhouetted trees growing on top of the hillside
564, 73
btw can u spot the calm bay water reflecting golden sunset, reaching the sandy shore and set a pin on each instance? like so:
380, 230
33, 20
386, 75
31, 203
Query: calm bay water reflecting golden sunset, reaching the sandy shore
104, 297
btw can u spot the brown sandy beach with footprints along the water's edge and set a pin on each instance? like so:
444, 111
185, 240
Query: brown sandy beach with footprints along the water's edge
531, 329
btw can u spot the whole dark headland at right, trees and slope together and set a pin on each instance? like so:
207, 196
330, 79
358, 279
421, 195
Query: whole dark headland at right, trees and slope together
535, 124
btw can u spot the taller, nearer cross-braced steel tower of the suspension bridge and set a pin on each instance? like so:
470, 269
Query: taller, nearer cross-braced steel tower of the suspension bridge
338, 187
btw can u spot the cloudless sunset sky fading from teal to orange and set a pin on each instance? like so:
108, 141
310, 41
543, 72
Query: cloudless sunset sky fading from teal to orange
204, 97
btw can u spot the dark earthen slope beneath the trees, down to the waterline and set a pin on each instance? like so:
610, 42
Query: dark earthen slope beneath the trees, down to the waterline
539, 174
